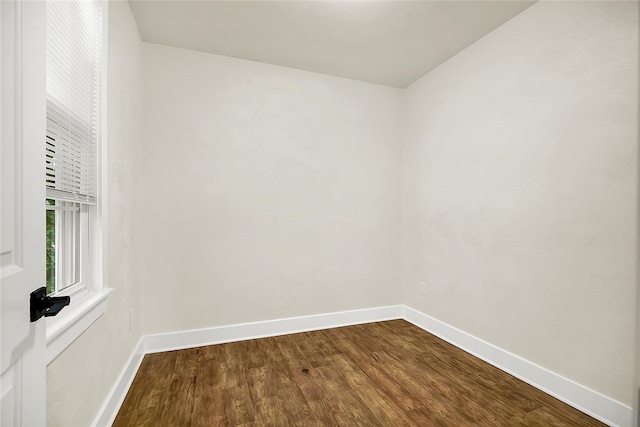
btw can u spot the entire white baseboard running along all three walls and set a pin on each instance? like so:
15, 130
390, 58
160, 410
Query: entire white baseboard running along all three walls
580, 397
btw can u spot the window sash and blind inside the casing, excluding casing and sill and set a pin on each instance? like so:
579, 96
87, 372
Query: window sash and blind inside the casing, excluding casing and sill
74, 64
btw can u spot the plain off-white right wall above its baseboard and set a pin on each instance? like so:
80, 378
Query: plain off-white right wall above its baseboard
520, 190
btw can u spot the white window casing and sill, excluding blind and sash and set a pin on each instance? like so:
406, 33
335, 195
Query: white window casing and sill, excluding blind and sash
89, 301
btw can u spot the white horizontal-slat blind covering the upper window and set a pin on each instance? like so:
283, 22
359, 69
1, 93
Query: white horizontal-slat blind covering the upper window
74, 46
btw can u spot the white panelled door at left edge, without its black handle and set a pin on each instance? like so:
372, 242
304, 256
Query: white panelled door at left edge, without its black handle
22, 221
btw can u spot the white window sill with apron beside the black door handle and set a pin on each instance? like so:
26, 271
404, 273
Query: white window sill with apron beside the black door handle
73, 320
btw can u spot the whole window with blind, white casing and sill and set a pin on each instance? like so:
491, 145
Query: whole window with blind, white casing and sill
74, 151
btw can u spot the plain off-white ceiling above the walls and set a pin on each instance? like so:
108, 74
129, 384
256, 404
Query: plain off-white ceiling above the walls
391, 43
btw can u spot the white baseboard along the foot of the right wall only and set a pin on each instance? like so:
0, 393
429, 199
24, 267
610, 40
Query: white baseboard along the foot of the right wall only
590, 402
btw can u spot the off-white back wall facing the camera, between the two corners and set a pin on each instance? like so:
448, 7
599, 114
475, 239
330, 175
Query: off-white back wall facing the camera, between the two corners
268, 192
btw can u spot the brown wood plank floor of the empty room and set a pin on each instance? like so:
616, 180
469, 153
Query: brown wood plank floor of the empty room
378, 374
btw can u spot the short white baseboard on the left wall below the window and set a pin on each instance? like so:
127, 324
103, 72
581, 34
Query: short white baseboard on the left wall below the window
111, 406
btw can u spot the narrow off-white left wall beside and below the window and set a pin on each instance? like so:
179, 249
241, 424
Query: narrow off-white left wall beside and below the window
80, 378
